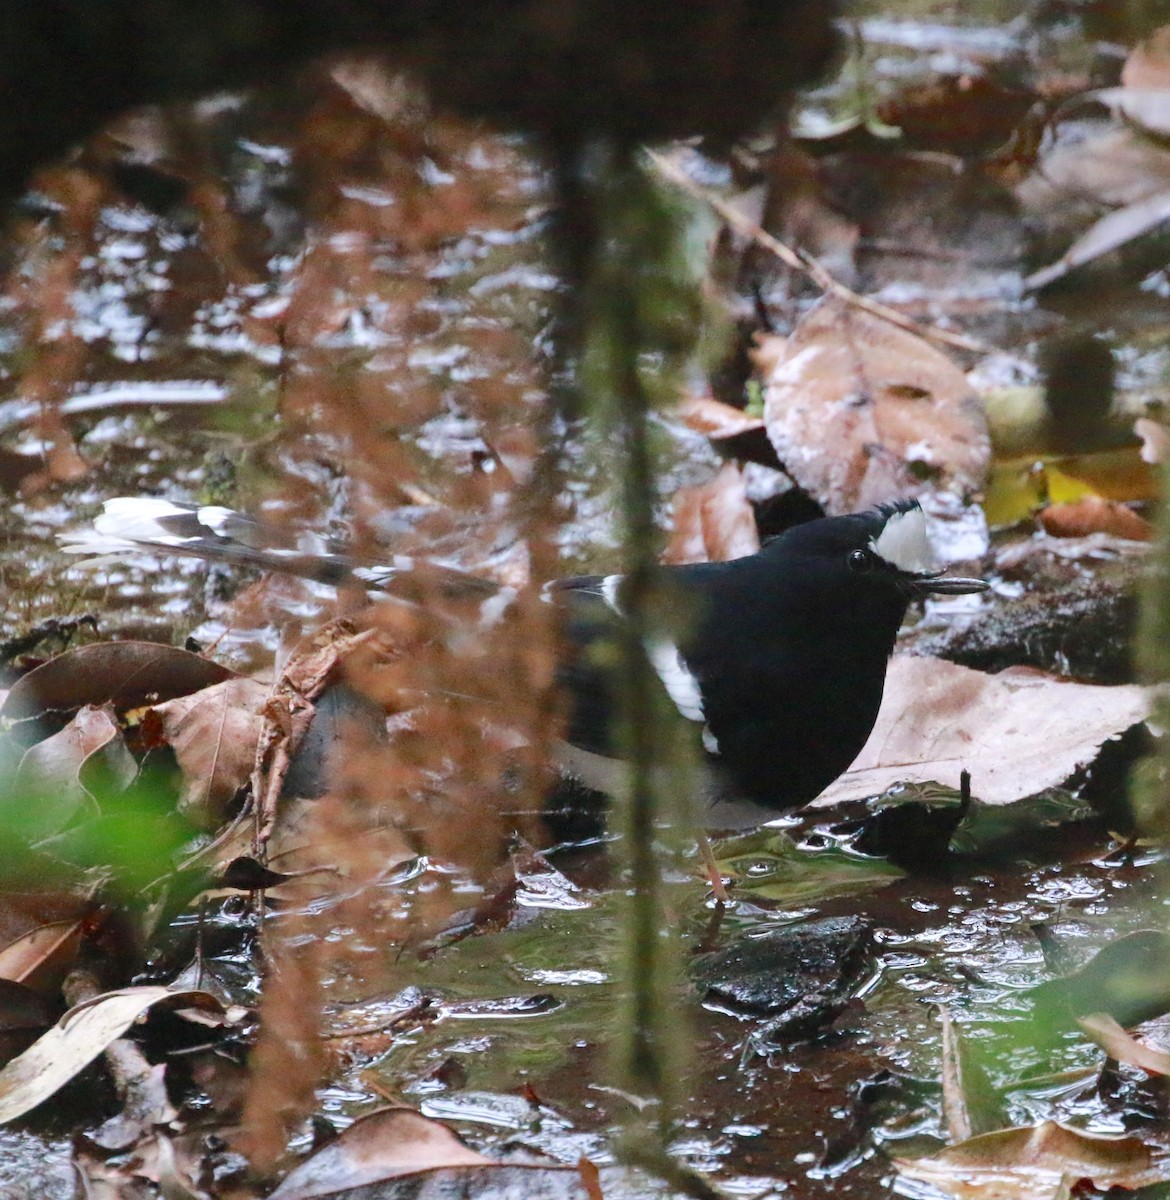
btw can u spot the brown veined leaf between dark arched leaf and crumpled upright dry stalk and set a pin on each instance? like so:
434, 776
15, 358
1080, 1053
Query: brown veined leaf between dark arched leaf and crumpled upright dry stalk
214, 735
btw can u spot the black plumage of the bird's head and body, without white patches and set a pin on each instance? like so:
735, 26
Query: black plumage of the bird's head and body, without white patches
789, 649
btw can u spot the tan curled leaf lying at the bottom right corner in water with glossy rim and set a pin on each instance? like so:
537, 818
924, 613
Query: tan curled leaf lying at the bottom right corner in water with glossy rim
1034, 1163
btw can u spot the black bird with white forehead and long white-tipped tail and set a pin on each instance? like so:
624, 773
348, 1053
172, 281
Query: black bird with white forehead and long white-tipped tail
782, 671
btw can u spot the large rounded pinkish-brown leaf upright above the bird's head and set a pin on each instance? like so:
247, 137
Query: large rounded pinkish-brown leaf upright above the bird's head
862, 412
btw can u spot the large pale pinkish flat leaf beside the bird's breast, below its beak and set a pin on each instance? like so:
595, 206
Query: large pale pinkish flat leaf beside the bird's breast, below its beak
1018, 733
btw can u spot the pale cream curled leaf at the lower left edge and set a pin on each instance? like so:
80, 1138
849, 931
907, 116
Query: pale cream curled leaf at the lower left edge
76, 1041
